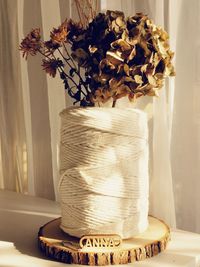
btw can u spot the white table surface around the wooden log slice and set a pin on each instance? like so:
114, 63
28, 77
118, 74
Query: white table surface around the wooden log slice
21, 217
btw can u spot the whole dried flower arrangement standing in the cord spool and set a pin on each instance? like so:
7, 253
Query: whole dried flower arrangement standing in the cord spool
111, 57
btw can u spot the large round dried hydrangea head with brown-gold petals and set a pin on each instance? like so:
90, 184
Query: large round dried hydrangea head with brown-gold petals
134, 51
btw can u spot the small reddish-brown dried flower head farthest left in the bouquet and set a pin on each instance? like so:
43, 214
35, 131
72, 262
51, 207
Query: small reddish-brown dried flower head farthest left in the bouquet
31, 44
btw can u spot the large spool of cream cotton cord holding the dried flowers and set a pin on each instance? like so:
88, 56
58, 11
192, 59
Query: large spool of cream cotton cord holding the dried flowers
104, 185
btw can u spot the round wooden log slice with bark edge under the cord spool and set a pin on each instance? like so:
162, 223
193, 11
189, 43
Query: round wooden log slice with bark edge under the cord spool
56, 244
